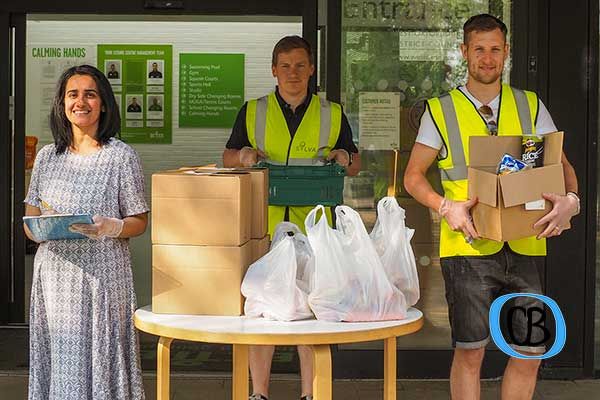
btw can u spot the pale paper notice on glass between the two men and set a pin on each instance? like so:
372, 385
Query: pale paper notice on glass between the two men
379, 120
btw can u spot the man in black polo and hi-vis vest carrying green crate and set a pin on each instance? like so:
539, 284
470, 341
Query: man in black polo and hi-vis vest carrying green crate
290, 126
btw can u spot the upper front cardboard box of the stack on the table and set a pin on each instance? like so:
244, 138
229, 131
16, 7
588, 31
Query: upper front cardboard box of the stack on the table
209, 208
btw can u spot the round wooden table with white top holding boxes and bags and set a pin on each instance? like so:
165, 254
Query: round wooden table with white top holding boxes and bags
243, 331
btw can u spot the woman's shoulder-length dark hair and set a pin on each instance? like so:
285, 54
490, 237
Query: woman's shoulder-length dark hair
110, 119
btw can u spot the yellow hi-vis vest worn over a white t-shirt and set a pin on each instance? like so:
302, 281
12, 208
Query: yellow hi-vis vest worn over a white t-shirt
456, 119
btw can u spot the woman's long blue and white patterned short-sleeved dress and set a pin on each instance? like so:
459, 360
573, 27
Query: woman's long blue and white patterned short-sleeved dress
83, 344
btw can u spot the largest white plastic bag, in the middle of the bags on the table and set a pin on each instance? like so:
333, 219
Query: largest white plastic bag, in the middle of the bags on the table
349, 282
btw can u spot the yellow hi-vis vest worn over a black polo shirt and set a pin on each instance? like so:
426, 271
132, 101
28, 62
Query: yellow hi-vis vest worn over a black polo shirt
317, 134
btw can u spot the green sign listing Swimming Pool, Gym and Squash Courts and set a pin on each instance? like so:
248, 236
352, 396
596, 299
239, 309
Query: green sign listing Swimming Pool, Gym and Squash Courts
211, 89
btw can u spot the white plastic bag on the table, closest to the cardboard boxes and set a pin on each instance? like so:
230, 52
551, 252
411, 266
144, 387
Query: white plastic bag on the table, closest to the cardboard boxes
270, 285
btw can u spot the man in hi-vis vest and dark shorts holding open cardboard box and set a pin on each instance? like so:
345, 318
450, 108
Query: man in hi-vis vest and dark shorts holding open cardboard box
476, 270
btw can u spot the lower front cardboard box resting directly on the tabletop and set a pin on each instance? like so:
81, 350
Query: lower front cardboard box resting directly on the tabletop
199, 280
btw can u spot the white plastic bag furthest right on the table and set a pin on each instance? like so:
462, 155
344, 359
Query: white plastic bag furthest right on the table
392, 242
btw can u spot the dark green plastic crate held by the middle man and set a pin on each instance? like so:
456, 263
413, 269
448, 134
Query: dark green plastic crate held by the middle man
305, 185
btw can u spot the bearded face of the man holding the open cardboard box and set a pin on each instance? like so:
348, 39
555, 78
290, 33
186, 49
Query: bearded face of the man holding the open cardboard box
485, 54
